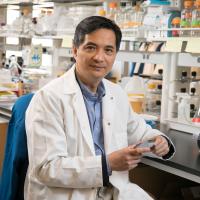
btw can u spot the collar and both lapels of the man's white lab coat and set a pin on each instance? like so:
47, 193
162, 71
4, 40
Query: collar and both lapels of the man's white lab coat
108, 106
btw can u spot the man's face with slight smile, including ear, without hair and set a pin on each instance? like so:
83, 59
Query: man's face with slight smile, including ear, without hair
96, 55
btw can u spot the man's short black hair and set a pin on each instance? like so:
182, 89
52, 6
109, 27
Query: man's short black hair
93, 23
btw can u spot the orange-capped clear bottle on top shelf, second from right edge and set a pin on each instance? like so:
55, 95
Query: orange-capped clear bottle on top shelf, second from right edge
186, 19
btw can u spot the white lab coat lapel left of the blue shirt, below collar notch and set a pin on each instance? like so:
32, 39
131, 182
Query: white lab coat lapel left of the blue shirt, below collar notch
81, 113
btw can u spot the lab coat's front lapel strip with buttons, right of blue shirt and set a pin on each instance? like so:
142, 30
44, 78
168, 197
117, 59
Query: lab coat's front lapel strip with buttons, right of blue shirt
108, 116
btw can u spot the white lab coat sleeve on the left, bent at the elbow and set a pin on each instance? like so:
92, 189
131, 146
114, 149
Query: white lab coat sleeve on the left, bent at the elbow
49, 160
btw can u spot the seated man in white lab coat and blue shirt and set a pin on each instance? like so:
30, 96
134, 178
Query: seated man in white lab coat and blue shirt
81, 131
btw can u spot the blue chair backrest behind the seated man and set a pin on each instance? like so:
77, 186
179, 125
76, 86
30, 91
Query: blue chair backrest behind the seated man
16, 154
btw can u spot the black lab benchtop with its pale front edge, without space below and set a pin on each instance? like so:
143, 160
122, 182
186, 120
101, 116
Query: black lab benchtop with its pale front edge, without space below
185, 162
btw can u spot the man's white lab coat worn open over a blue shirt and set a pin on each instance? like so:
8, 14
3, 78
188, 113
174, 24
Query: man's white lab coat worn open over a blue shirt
62, 160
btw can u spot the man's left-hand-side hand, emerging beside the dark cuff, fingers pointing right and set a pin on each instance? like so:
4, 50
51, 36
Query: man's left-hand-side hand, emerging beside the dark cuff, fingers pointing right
126, 158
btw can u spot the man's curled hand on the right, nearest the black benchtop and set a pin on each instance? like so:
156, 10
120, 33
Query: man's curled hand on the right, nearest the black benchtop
160, 147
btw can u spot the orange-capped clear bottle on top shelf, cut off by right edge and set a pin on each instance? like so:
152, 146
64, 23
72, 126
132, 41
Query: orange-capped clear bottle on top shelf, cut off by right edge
196, 19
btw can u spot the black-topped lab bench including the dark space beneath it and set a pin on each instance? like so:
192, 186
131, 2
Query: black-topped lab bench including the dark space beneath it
168, 179
